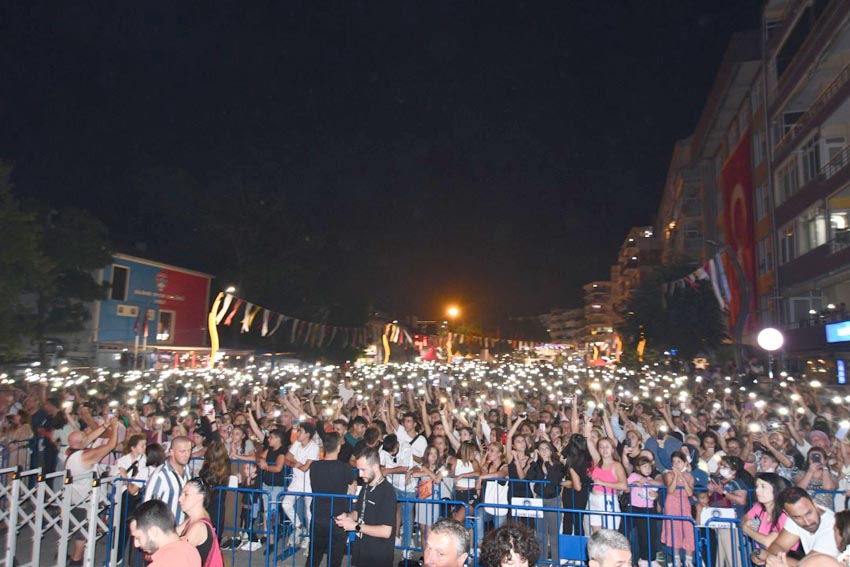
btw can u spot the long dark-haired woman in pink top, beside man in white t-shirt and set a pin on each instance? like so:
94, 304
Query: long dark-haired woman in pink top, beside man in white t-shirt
764, 521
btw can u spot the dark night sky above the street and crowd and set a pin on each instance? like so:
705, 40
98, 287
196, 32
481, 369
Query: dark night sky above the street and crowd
494, 153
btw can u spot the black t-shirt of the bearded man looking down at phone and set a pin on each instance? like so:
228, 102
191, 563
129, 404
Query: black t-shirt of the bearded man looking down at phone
375, 507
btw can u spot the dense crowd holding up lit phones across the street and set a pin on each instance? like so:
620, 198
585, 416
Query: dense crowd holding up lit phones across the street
430, 441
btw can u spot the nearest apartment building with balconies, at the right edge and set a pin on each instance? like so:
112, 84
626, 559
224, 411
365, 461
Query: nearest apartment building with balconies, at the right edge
806, 202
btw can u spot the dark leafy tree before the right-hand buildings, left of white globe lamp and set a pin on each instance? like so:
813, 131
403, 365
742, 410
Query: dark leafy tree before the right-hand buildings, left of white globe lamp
688, 321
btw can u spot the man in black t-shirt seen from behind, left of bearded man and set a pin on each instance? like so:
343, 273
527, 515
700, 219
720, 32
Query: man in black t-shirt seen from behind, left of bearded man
329, 476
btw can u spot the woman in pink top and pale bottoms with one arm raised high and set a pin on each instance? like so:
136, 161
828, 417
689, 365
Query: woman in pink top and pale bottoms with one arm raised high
608, 476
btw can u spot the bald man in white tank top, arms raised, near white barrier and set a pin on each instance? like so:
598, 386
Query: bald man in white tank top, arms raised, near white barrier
82, 464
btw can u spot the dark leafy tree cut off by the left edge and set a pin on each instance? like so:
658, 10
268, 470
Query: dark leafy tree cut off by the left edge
22, 263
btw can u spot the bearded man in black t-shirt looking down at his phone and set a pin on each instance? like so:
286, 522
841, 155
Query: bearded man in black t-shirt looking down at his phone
373, 517
